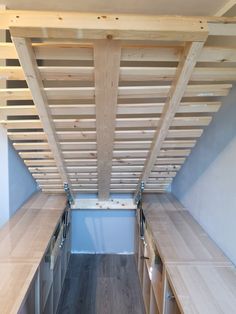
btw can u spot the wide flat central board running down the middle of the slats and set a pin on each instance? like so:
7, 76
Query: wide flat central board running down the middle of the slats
107, 66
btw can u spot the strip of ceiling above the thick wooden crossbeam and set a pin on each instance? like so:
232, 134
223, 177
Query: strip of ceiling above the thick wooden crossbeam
177, 7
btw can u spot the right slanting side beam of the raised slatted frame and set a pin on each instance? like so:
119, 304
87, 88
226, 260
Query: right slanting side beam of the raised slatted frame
183, 74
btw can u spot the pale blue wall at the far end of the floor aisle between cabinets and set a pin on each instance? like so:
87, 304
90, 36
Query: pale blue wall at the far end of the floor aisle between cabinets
103, 231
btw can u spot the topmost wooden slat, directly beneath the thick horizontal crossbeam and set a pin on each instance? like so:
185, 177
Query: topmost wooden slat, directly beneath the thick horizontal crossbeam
75, 51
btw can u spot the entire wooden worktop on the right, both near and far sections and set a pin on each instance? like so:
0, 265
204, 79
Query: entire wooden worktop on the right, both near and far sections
197, 277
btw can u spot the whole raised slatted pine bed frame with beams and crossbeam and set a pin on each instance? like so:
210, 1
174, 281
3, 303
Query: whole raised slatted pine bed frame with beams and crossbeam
112, 100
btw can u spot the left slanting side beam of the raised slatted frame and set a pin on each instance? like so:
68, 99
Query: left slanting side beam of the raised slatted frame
29, 65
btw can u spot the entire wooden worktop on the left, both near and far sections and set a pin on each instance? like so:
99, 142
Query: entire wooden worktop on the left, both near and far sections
23, 242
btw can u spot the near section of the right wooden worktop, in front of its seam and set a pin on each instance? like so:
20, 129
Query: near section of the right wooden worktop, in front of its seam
203, 289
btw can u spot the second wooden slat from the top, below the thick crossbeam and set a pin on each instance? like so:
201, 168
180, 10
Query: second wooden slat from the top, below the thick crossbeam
143, 74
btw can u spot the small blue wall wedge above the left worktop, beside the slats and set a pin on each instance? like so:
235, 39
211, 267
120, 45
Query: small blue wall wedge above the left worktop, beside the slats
21, 183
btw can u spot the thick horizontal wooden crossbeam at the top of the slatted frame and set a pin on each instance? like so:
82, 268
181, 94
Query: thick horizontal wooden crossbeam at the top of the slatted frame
74, 25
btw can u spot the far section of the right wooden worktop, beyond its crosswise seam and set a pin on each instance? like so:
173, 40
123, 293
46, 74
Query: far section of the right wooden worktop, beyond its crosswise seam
177, 235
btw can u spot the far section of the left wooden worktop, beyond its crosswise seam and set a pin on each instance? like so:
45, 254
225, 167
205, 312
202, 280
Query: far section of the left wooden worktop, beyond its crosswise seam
26, 236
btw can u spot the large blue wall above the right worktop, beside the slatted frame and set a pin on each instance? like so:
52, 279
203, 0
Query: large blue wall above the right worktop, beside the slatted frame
206, 184
